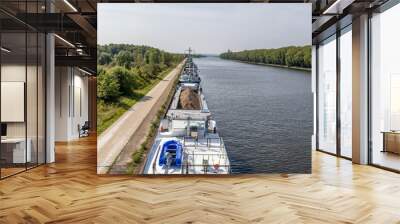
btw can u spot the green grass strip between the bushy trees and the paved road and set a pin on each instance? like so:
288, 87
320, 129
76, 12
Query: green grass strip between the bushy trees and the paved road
108, 113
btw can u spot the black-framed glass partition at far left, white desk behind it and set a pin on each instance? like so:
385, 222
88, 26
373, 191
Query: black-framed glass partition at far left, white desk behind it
22, 99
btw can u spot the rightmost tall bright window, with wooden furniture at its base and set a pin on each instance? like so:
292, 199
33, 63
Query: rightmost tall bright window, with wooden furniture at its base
385, 89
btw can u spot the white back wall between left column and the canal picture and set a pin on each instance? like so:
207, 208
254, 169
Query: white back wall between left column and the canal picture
71, 94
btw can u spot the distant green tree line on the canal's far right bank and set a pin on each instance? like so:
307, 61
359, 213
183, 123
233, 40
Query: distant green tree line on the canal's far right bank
292, 56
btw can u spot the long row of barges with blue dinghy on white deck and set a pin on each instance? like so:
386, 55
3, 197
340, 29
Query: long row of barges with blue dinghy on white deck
187, 140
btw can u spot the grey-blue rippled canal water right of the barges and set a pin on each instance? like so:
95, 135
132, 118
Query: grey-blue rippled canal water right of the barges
263, 113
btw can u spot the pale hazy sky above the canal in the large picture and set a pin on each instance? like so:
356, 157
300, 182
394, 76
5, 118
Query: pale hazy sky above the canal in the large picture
206, 28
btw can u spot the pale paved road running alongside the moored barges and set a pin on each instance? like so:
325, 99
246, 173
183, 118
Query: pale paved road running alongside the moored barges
129, 128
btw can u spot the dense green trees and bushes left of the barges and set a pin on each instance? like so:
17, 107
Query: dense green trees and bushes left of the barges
123, 68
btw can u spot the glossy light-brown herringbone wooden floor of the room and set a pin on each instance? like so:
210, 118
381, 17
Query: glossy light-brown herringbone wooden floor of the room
69, 191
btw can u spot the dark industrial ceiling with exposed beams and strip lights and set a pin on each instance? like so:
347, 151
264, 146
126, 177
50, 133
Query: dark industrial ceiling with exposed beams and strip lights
75, 21
